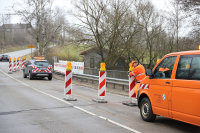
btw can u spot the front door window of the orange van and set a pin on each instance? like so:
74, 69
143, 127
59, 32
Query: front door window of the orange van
164, 69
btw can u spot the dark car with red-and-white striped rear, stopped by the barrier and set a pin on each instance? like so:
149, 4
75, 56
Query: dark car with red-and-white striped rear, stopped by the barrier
37, 68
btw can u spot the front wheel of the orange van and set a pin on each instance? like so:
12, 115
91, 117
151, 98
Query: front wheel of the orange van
146, 110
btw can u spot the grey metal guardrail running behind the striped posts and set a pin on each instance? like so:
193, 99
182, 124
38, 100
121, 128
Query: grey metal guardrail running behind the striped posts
114, 81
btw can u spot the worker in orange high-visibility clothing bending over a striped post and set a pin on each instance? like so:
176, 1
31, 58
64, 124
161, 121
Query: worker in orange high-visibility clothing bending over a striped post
138, 72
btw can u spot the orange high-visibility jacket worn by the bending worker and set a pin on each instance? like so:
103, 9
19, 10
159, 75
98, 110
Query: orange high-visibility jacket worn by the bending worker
139, 73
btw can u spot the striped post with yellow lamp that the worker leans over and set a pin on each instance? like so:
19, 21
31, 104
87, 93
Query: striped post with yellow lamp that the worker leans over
132, 85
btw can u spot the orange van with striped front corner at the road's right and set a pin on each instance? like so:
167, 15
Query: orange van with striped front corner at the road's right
172, 88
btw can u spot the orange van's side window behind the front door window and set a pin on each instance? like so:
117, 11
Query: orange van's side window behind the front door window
189, 67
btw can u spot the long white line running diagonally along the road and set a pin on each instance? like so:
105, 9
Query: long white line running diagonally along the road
76, 107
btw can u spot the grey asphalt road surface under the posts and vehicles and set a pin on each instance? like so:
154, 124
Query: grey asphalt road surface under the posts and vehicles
30, 106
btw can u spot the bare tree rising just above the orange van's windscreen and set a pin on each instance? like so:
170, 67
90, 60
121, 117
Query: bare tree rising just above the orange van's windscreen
152, 31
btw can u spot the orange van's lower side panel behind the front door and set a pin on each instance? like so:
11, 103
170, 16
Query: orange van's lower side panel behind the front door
186, 100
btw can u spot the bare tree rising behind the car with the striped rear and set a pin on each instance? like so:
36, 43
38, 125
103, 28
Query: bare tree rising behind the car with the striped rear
40, 15
